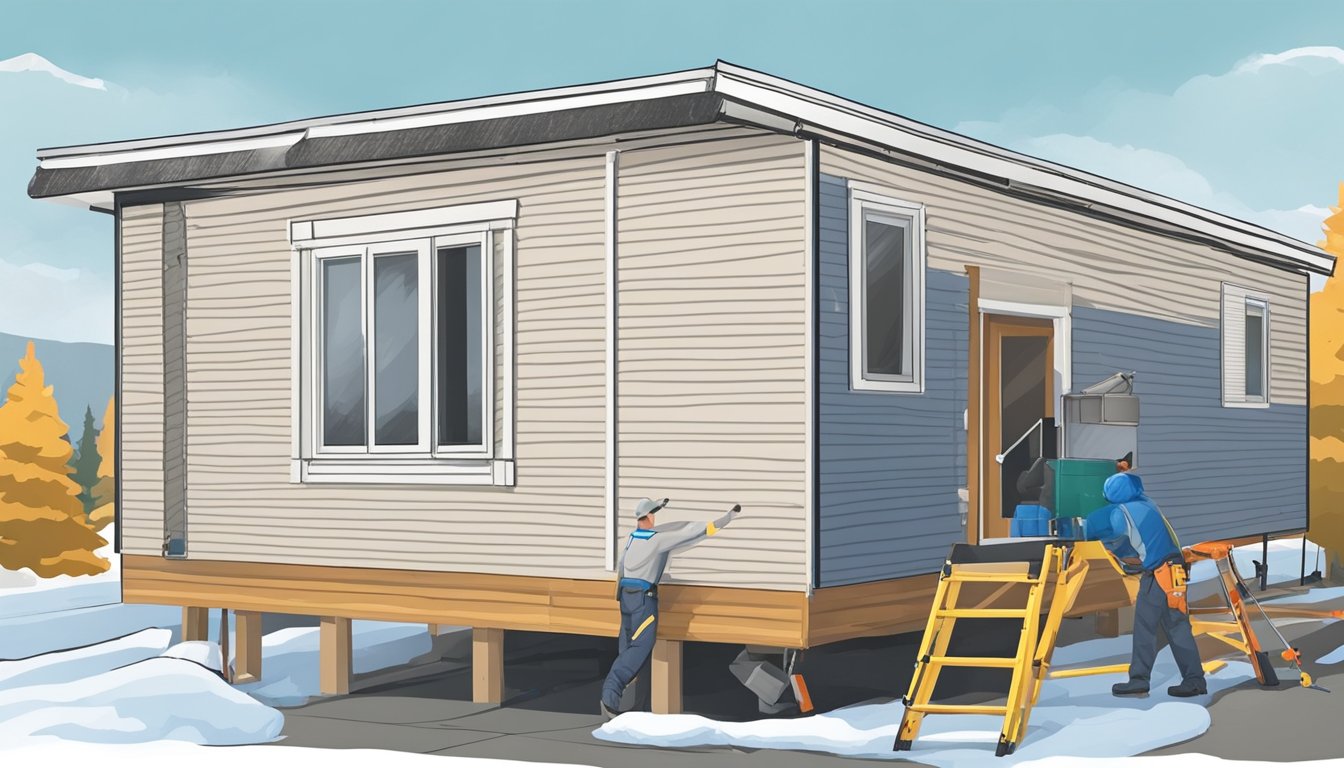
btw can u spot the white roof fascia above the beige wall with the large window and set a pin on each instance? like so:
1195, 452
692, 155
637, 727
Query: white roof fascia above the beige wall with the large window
528, 103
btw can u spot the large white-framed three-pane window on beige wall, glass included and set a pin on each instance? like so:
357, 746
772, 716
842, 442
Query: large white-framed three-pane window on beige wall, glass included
396, 338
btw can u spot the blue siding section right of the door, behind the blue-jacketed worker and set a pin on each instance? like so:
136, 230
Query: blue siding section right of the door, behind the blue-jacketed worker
1217, 473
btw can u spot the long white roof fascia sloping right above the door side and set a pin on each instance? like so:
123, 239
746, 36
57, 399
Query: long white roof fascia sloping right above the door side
839, 115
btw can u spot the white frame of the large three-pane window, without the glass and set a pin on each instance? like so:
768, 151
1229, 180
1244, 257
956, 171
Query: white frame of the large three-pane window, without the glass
482, 225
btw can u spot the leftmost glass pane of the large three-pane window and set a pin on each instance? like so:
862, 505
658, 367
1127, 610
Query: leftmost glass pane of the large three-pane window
343, 353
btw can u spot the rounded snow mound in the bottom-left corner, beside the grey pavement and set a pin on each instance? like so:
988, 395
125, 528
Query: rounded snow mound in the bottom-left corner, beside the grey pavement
147, 701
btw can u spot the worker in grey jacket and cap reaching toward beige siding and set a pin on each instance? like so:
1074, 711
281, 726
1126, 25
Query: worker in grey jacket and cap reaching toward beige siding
638, 591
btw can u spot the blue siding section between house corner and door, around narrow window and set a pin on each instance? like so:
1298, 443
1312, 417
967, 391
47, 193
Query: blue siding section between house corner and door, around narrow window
892, 463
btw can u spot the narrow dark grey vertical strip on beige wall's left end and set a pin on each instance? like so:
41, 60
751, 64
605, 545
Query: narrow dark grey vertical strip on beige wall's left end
175, 391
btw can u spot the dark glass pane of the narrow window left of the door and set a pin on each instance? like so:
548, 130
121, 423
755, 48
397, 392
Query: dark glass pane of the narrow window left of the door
886, 252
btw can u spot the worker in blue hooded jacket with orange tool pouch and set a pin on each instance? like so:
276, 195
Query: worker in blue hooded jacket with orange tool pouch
1134, 529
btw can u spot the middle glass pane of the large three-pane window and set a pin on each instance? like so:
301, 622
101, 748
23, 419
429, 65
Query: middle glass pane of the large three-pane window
396, 350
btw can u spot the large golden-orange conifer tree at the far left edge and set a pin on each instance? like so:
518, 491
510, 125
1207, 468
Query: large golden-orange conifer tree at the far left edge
42, 521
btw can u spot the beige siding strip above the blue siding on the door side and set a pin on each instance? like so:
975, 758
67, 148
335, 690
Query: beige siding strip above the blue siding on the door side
1109, 266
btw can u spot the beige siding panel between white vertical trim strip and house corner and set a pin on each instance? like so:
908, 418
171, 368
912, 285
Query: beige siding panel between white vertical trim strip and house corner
712, 352
